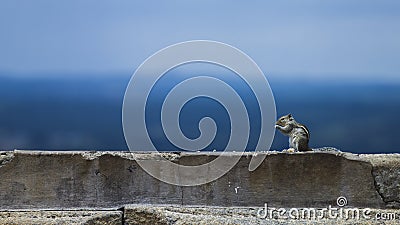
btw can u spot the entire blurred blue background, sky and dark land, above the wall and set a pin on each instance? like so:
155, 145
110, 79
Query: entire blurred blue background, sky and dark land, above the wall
65, 65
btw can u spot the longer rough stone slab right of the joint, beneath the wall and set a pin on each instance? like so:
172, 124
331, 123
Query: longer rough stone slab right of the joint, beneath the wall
177, 215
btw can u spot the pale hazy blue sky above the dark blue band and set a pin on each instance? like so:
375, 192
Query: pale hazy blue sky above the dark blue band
352, 39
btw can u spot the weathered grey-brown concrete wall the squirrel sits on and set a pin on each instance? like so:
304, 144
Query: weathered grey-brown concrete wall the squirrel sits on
60, 180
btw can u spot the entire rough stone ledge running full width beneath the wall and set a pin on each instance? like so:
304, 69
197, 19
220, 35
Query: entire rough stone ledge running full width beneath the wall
177, 215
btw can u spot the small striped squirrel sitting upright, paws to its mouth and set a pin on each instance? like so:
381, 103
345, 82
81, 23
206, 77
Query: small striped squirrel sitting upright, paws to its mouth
299, 135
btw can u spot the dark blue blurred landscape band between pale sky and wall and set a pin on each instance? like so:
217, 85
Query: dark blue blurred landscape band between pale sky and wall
84, 113
